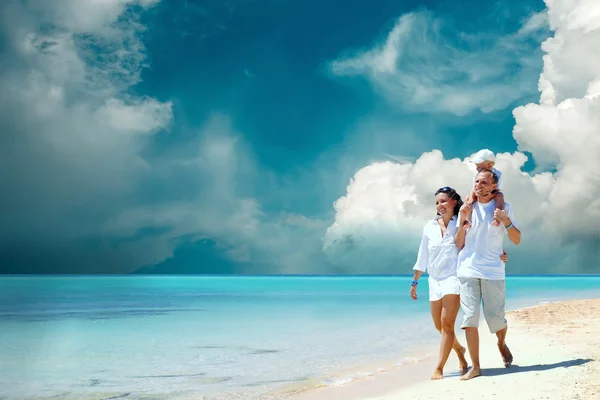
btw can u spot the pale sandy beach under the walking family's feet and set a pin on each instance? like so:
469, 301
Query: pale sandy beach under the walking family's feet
556, 349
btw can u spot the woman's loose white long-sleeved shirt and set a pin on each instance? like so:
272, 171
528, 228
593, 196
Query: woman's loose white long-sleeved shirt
438, 255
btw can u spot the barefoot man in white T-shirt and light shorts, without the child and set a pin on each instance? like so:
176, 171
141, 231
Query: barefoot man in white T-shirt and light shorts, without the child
480, 269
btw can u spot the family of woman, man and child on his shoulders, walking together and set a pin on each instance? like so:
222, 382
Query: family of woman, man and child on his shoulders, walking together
462, 251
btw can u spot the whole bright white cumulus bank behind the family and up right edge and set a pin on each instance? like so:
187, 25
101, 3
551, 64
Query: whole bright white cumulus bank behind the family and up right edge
379, 220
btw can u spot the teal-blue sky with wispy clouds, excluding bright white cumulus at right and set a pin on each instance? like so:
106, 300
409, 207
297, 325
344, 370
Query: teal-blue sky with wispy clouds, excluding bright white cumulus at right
215, 137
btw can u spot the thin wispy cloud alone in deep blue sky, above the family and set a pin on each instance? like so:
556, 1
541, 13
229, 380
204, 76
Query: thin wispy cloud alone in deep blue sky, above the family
423, 67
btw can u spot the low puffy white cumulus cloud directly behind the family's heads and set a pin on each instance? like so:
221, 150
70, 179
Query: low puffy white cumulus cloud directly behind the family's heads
379, 221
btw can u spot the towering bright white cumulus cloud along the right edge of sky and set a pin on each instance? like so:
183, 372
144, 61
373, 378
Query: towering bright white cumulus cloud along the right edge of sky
564, 129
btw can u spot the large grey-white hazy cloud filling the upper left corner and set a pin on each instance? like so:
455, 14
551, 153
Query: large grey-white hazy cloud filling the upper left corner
72, 135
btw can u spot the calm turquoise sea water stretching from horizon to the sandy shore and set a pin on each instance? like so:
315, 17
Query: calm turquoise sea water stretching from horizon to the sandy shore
237, 337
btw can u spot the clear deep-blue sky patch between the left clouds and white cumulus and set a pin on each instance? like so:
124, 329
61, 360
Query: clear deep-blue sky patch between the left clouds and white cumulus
265, 66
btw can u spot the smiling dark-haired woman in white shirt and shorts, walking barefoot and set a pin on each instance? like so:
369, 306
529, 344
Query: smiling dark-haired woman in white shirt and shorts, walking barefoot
438, 256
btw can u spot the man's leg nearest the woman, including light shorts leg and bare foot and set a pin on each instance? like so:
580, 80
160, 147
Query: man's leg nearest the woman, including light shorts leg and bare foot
470, 297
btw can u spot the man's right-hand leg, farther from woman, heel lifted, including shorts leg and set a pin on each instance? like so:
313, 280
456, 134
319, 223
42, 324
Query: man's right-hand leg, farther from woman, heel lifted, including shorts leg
493, 295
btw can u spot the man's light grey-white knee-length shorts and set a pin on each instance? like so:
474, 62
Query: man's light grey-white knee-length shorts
492, 293
